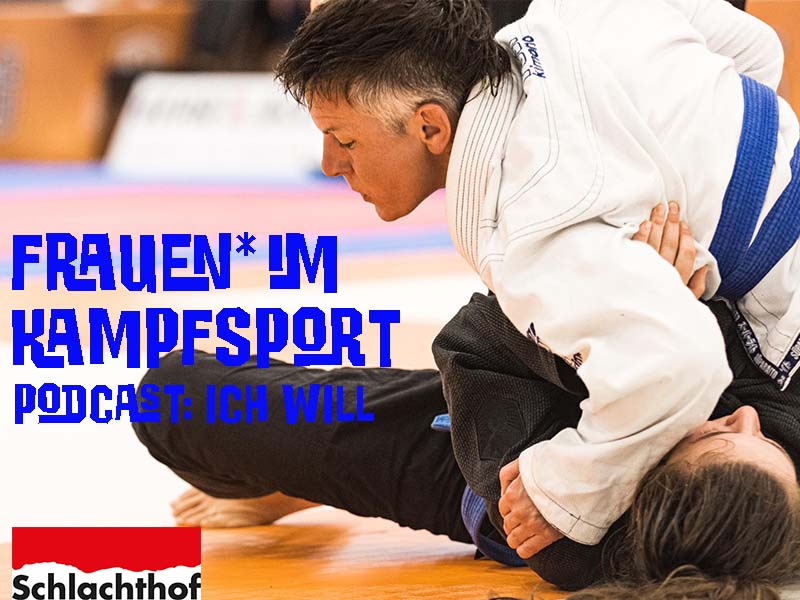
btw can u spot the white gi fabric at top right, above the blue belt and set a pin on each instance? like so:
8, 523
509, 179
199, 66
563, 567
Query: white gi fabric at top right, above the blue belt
753, 45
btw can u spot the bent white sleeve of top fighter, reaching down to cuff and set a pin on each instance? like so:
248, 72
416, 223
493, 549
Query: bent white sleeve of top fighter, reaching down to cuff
653, 361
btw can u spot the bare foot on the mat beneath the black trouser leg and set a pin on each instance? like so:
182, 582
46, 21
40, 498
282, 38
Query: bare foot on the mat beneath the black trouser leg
194, 508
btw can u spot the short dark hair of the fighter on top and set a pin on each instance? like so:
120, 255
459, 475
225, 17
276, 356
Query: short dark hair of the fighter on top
388, 56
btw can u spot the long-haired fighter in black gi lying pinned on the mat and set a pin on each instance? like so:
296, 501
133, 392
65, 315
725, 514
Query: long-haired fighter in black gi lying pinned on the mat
719, 516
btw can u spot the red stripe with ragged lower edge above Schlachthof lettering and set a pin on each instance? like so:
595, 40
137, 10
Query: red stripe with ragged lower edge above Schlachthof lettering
92, 549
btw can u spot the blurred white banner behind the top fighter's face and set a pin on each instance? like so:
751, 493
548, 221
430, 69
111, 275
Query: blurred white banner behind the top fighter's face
214, 126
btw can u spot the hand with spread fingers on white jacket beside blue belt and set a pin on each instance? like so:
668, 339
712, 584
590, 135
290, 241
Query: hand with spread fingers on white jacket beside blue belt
673, 240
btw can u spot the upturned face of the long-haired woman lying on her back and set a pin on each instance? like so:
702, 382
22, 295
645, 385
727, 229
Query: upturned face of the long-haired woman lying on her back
737, 437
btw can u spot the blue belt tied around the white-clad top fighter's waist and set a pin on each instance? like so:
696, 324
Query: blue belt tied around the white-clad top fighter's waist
742, 264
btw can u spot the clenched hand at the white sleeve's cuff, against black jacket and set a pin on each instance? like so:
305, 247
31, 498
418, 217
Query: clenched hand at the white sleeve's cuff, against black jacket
526, 530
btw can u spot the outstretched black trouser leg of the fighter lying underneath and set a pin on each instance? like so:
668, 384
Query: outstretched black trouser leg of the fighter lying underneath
395, 467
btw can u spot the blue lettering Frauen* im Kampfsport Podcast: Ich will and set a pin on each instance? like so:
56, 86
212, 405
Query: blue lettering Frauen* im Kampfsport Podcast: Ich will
57, 337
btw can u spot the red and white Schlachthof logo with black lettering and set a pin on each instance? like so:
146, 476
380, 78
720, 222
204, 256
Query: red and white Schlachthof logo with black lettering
105, 563
